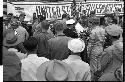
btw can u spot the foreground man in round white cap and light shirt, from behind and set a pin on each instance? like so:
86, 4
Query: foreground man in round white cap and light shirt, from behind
80, 68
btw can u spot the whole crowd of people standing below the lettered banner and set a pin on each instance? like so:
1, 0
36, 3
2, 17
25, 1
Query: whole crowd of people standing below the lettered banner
63, 50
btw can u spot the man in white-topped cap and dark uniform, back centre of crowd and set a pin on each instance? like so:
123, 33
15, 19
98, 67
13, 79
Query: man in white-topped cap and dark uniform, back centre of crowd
70, 31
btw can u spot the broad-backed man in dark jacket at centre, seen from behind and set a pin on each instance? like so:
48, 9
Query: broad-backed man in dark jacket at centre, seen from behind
58, 48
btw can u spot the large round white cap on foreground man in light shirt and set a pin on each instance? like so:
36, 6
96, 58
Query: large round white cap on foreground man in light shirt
76, 45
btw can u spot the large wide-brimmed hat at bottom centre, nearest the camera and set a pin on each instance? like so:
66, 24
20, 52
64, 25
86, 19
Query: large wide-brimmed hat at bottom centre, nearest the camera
55, 70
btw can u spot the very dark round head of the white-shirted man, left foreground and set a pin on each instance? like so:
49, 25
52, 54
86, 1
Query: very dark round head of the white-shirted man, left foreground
30, 44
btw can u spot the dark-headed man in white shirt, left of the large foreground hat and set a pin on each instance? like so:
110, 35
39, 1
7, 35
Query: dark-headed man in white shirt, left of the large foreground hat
32, 62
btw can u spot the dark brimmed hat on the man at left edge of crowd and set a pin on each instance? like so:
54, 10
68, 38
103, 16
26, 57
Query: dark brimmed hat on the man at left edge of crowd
11, 39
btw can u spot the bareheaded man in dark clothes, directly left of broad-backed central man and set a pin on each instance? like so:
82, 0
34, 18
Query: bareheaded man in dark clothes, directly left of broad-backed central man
42, 39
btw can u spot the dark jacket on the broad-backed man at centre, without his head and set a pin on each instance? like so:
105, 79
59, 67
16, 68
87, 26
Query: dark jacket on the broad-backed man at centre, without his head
58, 47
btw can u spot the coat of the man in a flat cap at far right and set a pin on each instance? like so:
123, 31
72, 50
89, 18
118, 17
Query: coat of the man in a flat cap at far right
111, 59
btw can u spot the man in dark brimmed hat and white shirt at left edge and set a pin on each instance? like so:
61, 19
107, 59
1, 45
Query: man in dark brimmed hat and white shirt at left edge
11, 42
